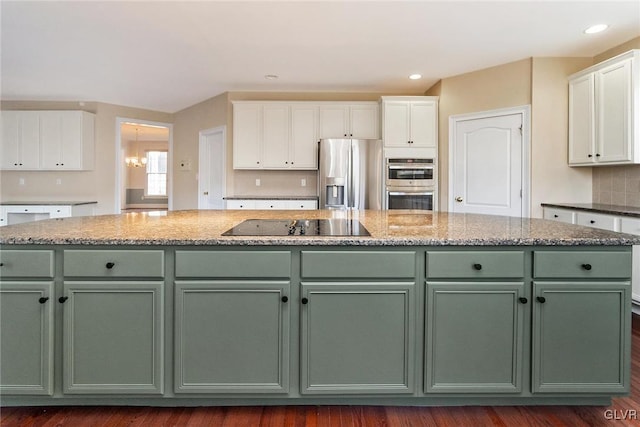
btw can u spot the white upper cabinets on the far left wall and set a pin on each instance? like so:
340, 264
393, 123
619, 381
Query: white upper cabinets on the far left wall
47, 140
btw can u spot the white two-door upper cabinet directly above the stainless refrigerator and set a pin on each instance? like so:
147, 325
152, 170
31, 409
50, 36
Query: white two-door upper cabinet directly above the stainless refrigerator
350, 120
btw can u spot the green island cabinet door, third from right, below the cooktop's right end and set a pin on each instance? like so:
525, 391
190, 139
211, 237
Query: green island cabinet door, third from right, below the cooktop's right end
357, 338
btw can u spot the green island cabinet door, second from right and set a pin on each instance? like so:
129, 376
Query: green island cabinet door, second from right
474, 337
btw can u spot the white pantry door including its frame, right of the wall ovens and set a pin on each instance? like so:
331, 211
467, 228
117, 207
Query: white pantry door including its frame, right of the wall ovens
489, 162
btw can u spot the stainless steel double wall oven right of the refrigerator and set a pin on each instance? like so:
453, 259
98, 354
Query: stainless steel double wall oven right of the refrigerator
410, 183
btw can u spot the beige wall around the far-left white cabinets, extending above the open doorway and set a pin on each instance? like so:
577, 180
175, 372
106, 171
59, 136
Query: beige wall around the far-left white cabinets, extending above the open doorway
98, 184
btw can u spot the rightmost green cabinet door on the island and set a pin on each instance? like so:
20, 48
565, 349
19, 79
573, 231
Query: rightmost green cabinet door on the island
581, 337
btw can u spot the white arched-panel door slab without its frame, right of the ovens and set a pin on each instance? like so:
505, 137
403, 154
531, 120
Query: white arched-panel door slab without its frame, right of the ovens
487, 166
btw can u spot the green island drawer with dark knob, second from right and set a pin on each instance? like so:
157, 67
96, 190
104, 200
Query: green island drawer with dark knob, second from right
475, 264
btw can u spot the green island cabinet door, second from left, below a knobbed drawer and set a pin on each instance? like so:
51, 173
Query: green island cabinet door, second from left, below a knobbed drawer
113, 337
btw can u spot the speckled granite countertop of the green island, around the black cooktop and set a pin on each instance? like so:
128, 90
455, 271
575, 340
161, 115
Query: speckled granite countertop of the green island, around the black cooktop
387, 228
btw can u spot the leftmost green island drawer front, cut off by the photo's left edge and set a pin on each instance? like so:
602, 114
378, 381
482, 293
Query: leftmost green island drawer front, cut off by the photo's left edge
26, 264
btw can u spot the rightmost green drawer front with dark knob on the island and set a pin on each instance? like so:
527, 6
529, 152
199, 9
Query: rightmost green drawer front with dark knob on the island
582, 264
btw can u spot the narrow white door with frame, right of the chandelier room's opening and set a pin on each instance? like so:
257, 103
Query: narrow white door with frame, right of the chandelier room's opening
212, 168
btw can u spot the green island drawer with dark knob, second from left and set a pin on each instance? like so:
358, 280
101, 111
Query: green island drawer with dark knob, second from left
114, 263
